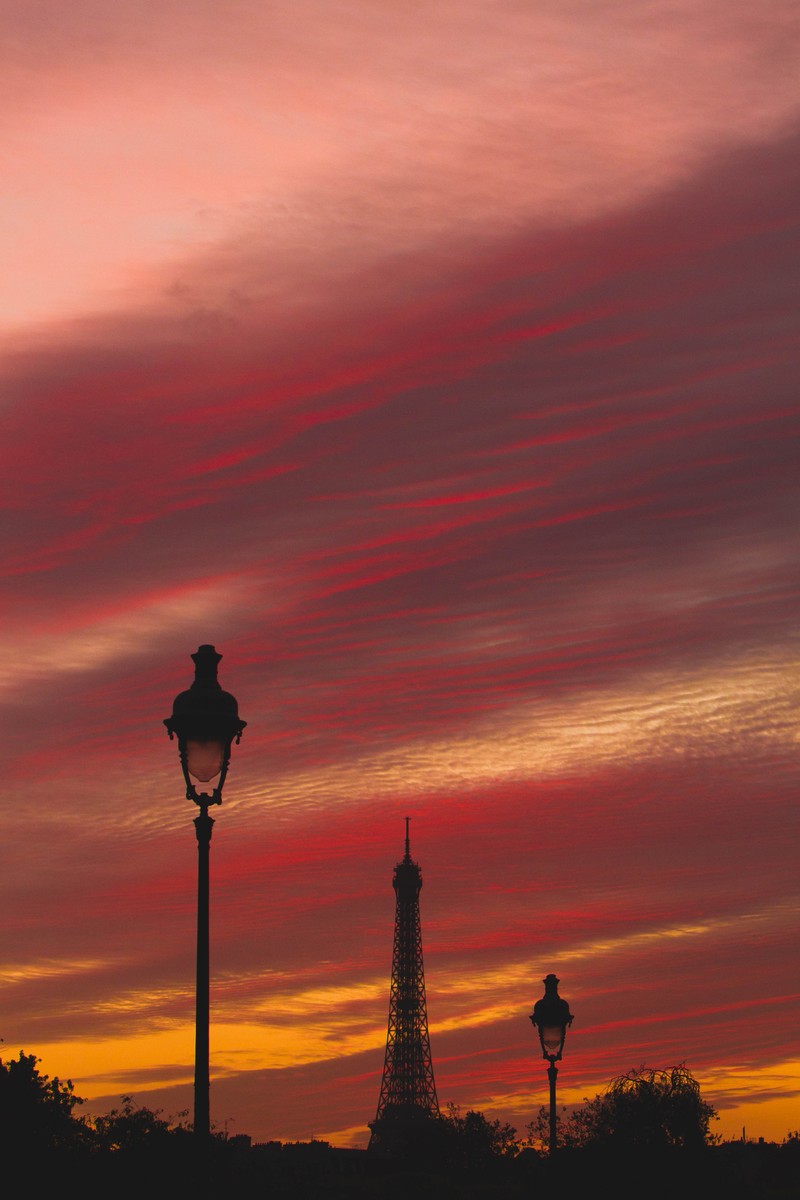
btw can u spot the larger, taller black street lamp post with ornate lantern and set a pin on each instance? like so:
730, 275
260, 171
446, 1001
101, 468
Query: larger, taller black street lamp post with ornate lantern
206, 722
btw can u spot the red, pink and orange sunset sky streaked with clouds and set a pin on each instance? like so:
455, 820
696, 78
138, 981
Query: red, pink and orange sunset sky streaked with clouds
437, 363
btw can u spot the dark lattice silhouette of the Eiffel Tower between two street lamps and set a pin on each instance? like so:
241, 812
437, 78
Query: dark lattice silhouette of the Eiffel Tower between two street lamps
408, 1091
